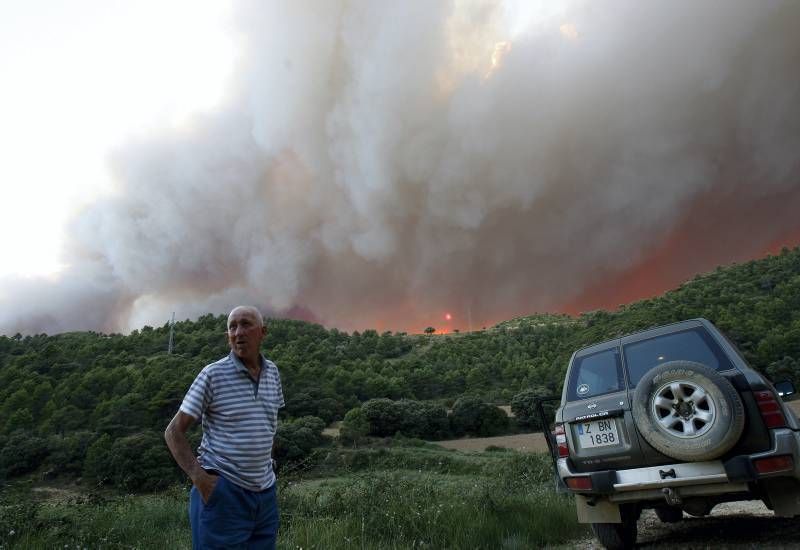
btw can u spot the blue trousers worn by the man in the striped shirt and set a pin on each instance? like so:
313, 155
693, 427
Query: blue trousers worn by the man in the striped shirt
234, 518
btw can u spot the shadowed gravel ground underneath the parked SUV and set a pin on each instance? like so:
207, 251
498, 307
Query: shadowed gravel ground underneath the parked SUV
731, 525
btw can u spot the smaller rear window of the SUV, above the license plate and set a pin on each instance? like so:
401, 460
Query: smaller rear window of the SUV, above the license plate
595, 374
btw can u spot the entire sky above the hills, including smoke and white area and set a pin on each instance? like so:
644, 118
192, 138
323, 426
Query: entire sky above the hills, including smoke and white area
370, 165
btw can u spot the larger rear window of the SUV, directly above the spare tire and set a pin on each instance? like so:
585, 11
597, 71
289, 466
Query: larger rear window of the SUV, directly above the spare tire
688, 345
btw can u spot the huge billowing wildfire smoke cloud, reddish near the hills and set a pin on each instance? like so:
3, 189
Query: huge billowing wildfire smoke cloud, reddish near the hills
382, 163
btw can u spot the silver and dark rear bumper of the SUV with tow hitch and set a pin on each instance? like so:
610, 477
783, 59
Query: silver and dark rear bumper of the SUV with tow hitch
715, 477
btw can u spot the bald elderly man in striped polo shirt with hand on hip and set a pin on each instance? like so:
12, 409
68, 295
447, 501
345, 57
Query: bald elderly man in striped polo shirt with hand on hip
233, 502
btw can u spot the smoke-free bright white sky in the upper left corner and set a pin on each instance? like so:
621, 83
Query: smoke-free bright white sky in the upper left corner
79, 78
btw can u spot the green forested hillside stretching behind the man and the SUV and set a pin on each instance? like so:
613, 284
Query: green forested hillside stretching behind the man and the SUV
95, 405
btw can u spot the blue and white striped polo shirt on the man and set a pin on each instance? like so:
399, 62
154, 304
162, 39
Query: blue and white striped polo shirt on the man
240, 418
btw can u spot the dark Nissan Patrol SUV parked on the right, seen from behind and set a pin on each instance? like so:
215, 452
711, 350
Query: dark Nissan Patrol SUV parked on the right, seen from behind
672, 419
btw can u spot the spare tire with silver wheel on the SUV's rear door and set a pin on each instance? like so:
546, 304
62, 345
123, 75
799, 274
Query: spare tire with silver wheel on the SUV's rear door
688, 411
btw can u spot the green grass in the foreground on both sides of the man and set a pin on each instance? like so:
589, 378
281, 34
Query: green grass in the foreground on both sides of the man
388, 498
